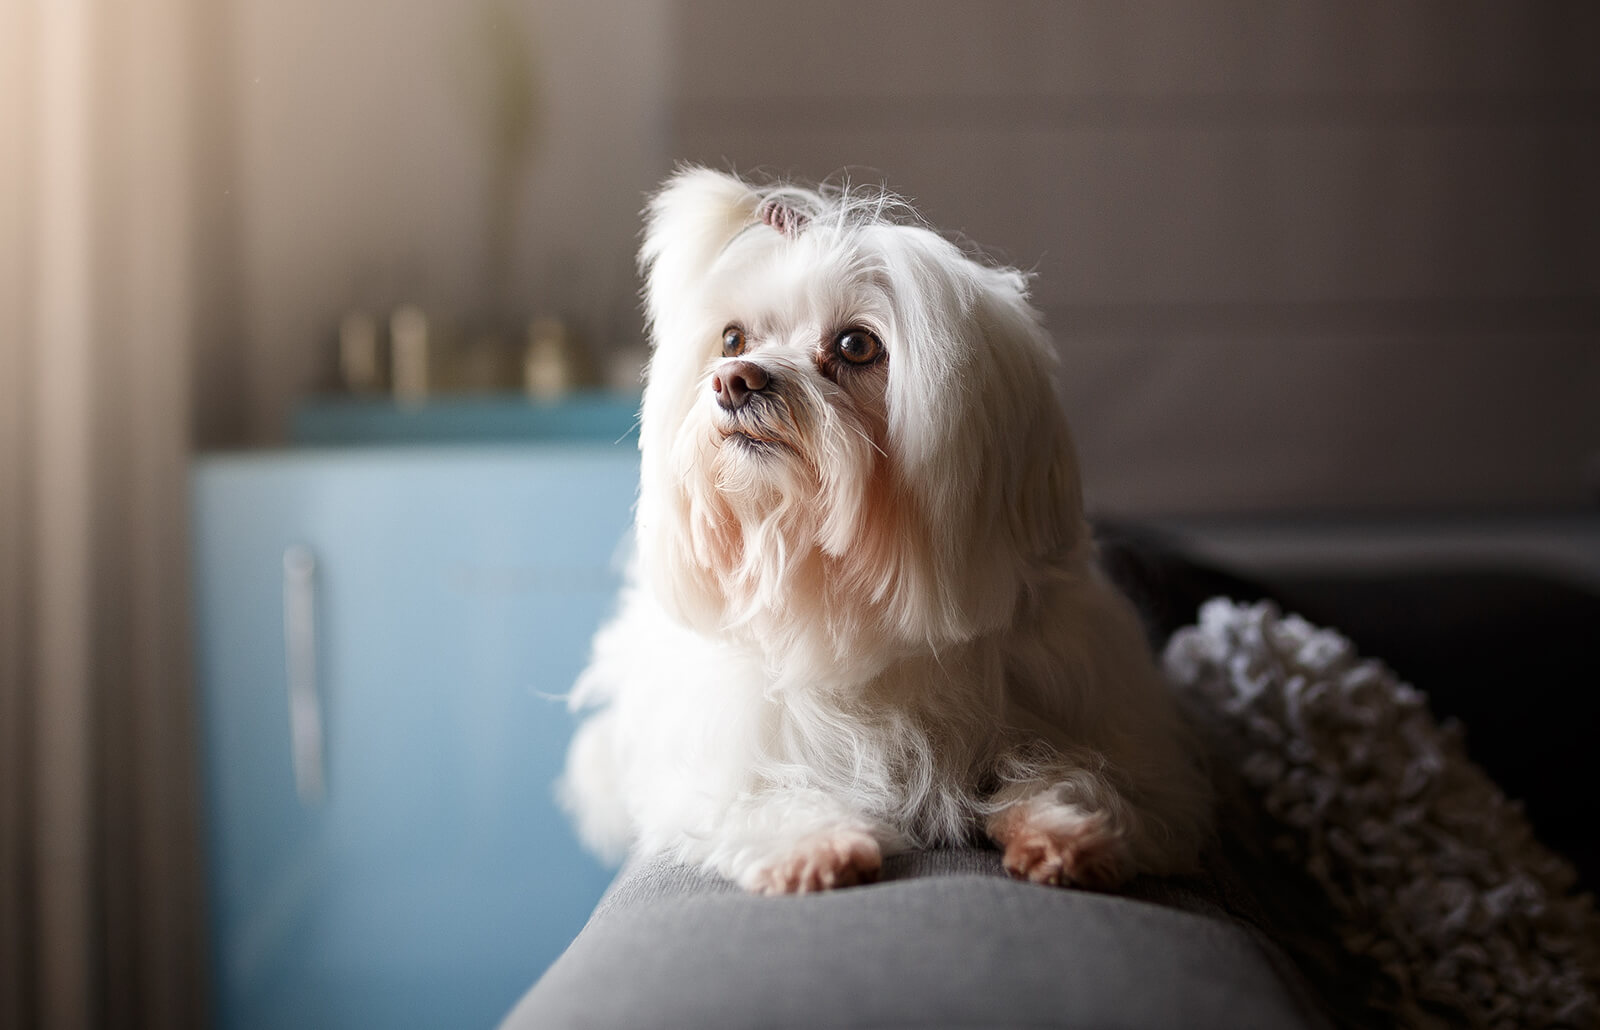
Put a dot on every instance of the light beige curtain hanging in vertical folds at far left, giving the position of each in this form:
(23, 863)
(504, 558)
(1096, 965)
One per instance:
(100, 879)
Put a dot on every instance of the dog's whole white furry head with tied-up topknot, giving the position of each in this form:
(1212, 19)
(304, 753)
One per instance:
(852, 445)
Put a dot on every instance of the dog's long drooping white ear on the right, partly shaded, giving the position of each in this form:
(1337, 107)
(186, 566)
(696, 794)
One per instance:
(978, 433)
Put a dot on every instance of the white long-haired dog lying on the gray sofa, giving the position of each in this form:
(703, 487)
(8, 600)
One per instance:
(863, 613)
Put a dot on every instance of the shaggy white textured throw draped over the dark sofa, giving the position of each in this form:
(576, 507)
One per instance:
(1433, 872)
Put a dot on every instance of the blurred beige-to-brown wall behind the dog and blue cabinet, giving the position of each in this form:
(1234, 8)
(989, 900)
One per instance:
(1297, 257)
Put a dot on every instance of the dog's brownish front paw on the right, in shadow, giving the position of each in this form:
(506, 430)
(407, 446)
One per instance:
(1062, 844)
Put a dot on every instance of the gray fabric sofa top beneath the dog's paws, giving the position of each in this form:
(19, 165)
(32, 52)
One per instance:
(945, 941)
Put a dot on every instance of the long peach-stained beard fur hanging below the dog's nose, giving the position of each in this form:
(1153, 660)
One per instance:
(786, 522)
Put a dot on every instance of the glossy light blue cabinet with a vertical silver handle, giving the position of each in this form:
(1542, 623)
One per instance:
(391, 853)
